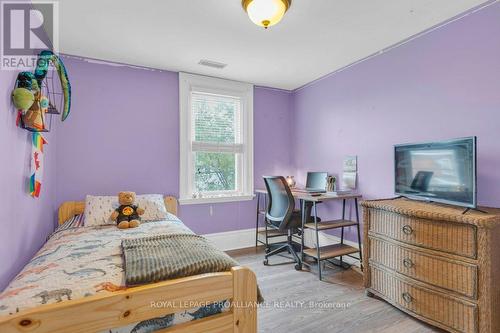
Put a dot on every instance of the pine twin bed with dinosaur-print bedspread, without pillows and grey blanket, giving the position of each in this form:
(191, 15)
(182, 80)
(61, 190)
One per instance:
(75, 283)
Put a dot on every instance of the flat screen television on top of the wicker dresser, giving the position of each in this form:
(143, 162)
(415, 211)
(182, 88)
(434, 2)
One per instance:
(443, 171)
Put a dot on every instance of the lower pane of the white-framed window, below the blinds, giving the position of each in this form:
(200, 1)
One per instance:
(215, 172)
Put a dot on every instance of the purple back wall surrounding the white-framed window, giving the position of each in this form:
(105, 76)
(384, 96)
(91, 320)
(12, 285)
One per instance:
(124, 134)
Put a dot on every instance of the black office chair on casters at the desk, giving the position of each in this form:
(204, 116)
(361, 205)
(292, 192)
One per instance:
(281, 215)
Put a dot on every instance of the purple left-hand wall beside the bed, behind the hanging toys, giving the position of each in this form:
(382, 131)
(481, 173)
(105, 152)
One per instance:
(26, 221)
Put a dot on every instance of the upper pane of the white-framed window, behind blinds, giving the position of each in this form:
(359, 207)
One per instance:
(215, 118)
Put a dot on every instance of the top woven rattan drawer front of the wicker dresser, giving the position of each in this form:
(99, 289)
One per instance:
(449, 237)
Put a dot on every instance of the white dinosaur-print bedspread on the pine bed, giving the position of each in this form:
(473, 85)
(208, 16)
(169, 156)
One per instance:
(84, 261)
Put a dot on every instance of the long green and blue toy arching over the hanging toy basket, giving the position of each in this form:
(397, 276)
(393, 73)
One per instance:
(44, 58)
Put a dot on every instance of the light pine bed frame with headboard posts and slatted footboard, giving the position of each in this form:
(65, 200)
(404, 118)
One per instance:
(101, 312)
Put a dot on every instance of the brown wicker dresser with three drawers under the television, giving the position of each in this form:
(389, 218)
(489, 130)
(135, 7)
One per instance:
(434, 262)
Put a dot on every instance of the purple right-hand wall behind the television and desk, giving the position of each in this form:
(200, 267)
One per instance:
(443, 85)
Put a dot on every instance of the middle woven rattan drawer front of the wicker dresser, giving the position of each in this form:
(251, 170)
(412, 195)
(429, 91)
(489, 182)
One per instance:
(453, 275)
